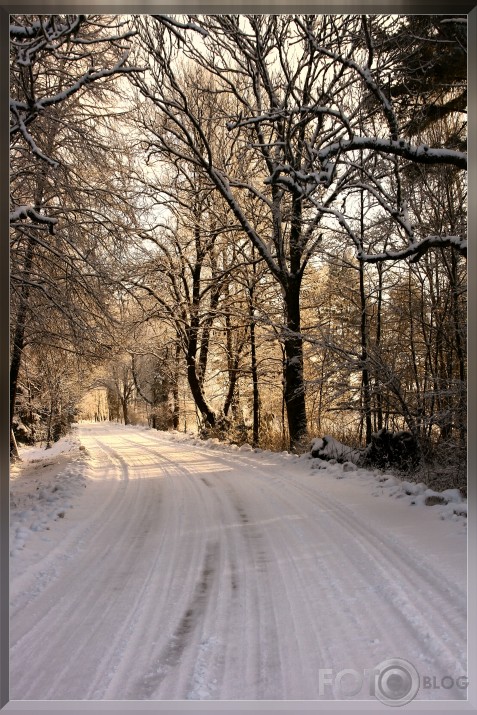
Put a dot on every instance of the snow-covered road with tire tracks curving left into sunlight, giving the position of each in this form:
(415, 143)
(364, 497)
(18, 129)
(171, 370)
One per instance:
(191, 573)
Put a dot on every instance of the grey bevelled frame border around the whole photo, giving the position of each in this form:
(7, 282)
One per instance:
(224, 7)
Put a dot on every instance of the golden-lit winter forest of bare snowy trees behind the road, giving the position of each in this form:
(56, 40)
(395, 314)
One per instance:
(252, 227)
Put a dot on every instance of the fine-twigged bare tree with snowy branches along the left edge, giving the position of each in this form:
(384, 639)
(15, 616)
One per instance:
(63, 218)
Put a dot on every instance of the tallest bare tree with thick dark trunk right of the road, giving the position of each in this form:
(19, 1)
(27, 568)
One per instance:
(248, 59)
